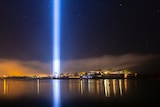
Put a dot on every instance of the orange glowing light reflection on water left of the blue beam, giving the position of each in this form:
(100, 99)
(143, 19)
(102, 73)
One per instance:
(25, 87)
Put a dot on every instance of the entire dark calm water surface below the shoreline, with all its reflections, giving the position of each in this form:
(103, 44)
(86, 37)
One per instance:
(79, 93)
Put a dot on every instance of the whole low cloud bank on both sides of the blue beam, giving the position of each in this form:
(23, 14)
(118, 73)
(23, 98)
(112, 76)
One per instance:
(133, 62)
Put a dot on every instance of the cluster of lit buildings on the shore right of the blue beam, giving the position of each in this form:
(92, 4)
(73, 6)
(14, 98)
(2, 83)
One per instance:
(99, 74)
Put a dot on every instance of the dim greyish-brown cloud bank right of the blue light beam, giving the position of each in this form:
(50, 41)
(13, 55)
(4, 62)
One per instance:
(127, 61)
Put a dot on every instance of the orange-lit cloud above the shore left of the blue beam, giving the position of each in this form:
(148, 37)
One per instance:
(21, 68)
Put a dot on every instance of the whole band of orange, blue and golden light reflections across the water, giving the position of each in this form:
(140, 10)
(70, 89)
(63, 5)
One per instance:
(106, 87)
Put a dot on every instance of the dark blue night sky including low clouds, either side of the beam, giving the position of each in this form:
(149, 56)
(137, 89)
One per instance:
(94, 34)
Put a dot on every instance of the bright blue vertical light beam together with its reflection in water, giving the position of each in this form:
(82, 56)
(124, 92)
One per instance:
(56, 51)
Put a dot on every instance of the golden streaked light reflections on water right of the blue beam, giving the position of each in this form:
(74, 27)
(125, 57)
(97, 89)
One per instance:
(100, 87)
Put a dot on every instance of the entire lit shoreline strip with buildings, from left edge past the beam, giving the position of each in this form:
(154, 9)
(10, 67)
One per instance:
(93, 74)
